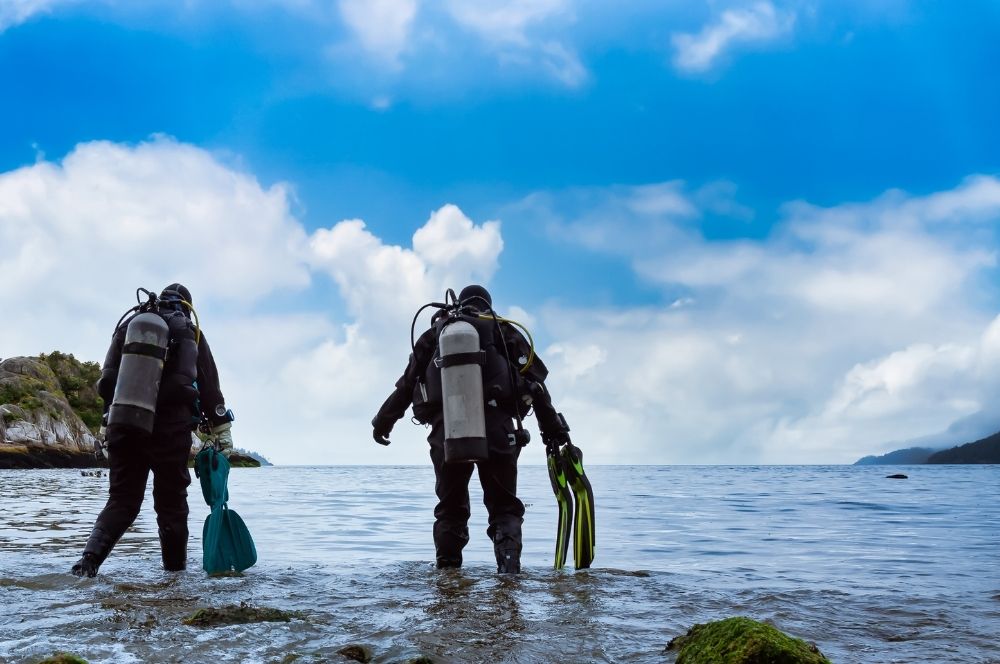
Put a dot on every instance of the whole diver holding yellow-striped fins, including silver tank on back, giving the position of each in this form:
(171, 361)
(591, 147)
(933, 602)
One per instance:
(473, 378)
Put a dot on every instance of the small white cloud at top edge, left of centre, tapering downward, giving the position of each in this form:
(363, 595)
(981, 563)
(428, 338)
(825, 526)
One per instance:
(382, 27)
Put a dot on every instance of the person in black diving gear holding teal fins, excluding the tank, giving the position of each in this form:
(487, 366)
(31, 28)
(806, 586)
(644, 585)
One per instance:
(188, 395)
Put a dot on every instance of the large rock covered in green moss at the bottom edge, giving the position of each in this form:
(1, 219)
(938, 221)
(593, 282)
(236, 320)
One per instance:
(742, 641)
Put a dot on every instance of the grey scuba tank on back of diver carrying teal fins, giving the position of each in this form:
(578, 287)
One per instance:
(139, 374)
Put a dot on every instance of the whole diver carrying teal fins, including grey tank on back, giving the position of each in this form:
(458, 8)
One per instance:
(158, 382)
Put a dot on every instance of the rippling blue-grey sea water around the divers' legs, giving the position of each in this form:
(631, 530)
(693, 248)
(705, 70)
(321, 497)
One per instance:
(872, 570)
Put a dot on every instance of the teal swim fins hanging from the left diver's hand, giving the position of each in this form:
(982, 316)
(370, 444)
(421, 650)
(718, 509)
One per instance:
(226, 542)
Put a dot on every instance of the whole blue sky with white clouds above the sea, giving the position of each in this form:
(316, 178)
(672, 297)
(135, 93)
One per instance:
(740, 232)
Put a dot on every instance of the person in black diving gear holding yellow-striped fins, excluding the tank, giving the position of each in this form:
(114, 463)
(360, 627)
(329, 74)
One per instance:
(506, 352)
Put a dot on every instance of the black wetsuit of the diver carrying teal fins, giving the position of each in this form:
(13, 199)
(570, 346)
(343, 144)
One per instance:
(132, 454)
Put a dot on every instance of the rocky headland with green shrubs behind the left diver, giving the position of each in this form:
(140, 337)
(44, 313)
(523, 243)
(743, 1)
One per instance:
(50, 414)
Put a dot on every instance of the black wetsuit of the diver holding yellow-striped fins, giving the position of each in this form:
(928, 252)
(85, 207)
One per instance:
(497, 475)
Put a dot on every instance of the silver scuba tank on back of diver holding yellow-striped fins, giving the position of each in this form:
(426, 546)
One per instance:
(462, 394)
